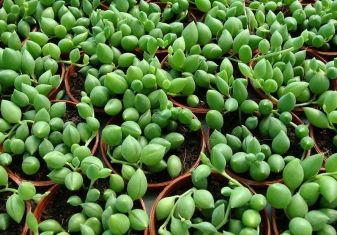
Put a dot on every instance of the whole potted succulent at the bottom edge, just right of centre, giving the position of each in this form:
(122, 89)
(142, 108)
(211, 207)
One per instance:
(209, 202)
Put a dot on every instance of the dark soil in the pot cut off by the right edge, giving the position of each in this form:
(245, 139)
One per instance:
(323, 139)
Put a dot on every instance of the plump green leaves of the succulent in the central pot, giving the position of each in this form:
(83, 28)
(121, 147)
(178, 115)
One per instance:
(149, 141)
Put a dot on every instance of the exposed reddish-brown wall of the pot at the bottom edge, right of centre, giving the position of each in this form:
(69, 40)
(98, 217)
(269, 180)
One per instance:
(185, 182)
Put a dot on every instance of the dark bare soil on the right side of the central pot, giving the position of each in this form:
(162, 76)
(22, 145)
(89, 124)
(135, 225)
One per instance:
(189, 153)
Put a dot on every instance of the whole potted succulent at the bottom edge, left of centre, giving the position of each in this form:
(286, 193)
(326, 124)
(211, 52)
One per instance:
(97, 203)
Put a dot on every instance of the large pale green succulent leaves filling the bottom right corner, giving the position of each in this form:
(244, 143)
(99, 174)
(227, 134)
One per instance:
(307, 196)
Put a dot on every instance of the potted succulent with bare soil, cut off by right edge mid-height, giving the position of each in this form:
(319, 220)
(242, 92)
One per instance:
(322, 123)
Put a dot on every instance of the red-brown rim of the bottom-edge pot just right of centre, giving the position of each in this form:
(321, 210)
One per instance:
(183, 180)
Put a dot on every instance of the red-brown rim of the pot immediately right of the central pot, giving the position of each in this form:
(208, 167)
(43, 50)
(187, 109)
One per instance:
(250, 182)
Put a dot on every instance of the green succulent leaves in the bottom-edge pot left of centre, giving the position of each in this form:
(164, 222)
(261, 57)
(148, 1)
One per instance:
(112, 211)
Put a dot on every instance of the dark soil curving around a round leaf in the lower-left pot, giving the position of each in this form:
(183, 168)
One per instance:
(41, 174)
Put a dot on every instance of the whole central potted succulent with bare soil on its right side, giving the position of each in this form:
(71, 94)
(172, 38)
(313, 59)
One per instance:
(165, 142)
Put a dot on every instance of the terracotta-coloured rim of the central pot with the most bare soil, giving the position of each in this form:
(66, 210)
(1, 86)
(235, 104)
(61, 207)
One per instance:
(159, 185)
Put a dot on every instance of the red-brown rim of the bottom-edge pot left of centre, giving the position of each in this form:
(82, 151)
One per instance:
(42, 205)
